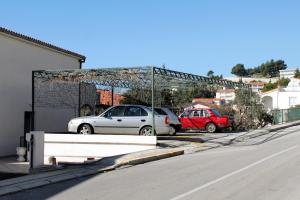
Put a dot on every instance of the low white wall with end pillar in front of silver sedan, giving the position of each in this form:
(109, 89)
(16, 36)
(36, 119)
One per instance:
(77, 148)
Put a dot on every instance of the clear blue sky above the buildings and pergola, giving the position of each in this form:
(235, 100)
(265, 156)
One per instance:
(192, 36)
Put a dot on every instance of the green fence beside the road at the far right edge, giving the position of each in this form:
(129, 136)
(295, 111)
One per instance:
(286, 115)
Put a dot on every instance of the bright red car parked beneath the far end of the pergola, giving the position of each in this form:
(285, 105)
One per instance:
(207, 119)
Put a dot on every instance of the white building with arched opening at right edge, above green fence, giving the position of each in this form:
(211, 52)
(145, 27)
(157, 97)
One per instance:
(282, 98)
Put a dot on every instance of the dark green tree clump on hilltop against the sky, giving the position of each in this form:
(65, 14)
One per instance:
(268, 69)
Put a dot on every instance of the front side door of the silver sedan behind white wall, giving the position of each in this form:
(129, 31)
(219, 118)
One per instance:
(110, 122)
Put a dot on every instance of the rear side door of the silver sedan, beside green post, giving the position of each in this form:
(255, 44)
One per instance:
(135, 117)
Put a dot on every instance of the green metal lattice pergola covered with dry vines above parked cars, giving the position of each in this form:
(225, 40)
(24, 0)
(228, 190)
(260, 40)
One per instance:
(135, 77)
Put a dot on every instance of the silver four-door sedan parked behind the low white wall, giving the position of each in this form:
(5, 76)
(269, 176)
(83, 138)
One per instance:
(123, 119)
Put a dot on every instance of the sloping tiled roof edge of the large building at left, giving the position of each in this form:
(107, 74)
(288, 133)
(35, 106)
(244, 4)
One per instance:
(41, 43)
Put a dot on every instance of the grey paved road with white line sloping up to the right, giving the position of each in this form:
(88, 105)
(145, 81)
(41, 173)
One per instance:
(269, 171)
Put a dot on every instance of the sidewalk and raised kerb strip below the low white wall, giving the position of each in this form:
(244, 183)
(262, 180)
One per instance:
(19, 184)
